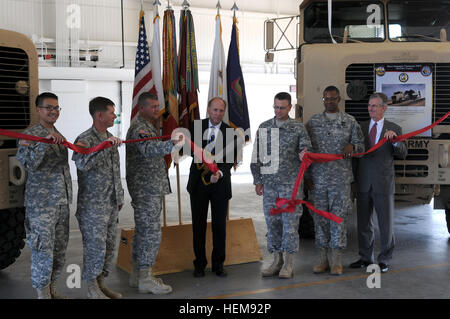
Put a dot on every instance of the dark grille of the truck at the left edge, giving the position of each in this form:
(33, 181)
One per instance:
(14, 89)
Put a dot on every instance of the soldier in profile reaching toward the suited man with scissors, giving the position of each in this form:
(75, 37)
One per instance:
(147, 183)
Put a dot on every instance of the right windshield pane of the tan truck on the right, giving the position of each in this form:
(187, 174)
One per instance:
(418, 20)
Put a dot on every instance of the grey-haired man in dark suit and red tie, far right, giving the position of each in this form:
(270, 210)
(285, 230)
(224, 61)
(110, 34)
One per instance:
(376, 186)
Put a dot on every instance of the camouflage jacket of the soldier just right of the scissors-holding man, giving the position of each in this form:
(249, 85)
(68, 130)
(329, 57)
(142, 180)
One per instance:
(292, 139)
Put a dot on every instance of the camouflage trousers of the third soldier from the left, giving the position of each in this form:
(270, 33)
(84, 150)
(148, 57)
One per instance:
(147, 232)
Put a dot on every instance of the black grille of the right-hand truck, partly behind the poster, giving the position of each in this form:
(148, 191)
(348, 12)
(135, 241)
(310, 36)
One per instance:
(366, 73)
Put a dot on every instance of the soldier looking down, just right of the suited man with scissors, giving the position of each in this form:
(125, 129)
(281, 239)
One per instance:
(274, 167)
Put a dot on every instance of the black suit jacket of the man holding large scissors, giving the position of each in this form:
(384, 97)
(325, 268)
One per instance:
(224, 183)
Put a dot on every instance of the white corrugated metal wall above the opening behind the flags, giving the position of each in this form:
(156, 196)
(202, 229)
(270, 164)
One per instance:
(95, 25)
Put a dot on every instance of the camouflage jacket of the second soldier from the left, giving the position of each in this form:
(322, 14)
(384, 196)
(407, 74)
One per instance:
(98, 172)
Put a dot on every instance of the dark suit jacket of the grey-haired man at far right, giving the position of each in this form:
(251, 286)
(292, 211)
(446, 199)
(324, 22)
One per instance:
(376, 169)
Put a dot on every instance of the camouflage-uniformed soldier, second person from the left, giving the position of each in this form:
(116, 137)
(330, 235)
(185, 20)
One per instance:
(100, 197)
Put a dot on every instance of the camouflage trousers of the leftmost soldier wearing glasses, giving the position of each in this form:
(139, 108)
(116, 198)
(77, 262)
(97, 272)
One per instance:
(47, 230)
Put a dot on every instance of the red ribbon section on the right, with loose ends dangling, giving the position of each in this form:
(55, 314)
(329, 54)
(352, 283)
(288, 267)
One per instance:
(310, 158)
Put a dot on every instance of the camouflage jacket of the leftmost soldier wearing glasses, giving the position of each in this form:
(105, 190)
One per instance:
(48, 174)
